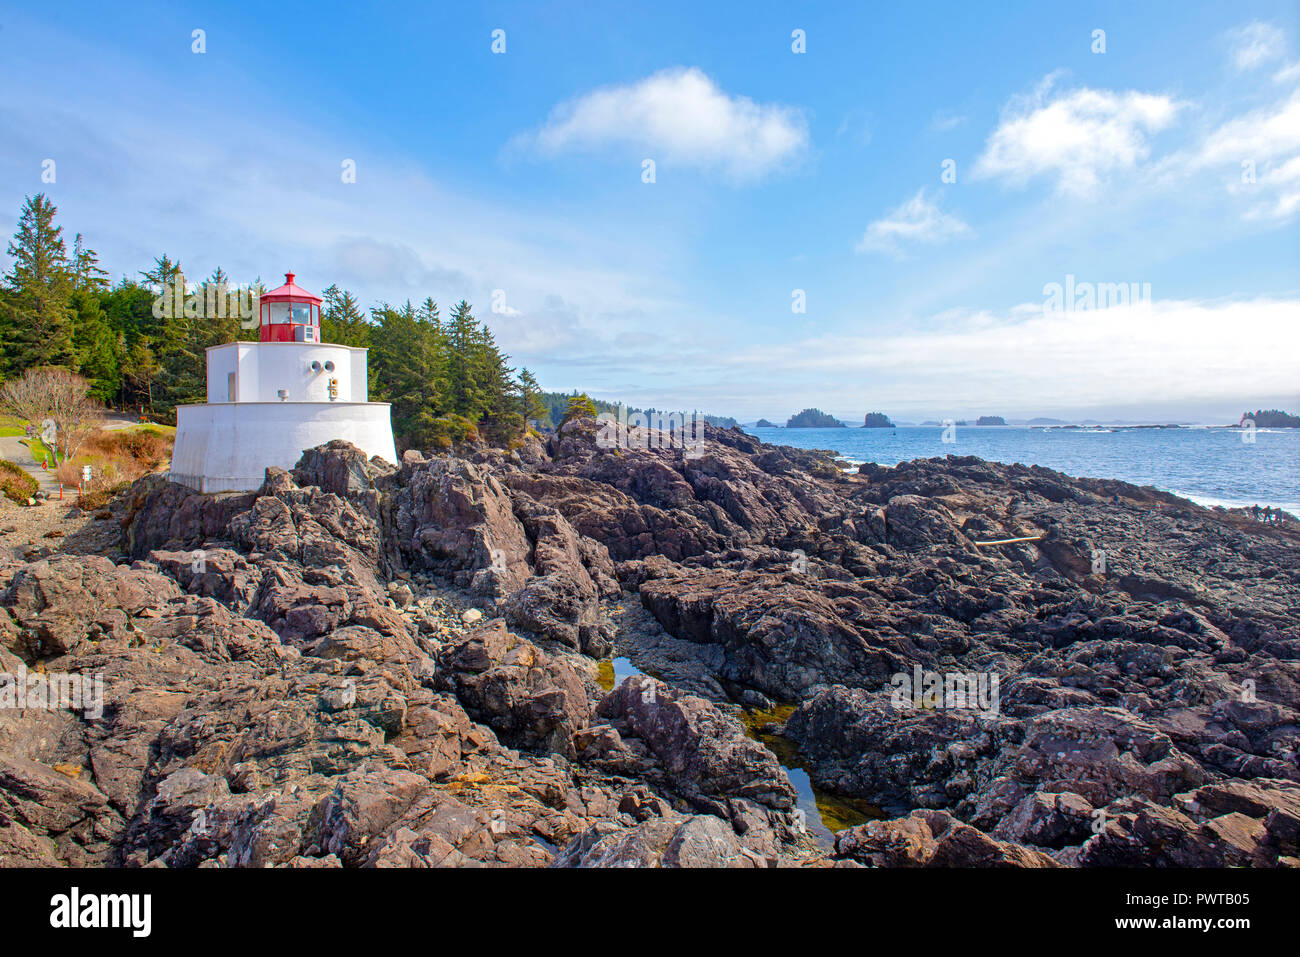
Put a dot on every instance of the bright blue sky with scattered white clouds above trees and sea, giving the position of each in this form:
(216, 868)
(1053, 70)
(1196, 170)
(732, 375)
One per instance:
(775, 172)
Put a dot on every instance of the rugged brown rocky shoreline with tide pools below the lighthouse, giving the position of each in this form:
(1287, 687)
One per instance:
(376, 665)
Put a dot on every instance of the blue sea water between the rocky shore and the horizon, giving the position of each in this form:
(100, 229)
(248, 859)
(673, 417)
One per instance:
(1210, 466)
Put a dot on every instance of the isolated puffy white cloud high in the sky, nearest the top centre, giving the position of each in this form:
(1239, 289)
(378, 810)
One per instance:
(678, 116)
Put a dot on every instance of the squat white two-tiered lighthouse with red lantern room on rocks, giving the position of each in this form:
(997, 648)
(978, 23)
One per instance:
(270, 401)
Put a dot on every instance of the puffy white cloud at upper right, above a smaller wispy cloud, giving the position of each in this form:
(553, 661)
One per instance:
(1080, 137)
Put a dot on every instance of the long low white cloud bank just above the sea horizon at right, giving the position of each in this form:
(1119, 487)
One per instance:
(1022, 360)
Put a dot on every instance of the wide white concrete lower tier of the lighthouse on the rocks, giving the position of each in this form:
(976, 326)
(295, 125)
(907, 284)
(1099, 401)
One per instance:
(228, 447)
